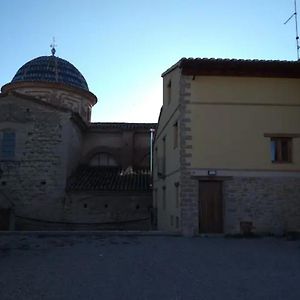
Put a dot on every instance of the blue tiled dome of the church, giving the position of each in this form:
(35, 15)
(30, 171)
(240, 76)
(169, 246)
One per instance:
(51, 69)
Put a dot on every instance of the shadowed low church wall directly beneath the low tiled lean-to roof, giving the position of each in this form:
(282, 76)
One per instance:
(114, 210)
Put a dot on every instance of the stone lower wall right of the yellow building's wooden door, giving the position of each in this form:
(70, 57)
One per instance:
(270, 204)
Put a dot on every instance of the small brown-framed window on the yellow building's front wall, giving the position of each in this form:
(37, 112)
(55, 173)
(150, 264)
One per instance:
(281, 149)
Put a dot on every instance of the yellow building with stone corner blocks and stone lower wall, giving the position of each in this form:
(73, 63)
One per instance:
(227, 148)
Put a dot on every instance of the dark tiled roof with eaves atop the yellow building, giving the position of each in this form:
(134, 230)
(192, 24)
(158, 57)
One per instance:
(237, 67)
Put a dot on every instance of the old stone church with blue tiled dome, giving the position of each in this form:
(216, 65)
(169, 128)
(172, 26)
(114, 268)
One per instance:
(57, 169)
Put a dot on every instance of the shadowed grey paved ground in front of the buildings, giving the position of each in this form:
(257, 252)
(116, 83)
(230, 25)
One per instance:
(147, 267)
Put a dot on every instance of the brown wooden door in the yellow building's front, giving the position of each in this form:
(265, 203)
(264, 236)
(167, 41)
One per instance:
(210, 207)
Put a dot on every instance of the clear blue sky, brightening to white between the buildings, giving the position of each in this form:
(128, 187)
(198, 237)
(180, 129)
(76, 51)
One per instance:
(122, 46)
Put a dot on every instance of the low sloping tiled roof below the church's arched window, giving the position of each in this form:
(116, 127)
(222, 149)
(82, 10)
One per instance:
(109, 179)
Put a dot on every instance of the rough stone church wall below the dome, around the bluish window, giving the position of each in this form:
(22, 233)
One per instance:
(35, 180)
